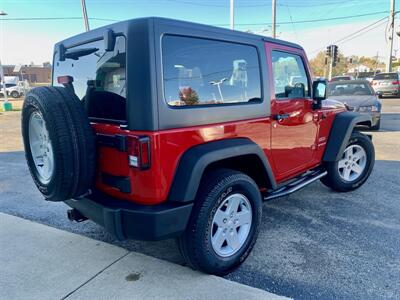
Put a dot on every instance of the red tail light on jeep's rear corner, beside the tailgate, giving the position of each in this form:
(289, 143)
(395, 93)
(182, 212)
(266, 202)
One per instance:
(139, 152)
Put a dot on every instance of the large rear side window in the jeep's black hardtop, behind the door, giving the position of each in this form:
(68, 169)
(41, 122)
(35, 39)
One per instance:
(200, 72)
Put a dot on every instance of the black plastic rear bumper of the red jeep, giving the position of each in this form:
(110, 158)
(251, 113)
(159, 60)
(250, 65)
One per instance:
(126, 220)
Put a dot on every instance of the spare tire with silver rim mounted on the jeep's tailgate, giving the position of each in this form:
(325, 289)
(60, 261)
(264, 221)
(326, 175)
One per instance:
(59, 143)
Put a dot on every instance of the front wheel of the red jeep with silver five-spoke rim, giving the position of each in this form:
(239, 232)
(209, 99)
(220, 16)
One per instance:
(354, 167)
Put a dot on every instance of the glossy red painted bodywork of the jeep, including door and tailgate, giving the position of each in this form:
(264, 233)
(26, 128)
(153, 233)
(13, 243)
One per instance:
(291, 146)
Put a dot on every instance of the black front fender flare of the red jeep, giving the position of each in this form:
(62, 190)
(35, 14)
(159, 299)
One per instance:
(342, 127)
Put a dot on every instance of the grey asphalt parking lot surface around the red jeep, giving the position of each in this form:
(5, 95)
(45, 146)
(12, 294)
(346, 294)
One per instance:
(313, 244)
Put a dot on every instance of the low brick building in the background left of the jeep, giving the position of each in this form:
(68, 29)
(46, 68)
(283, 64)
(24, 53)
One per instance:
(34, 74)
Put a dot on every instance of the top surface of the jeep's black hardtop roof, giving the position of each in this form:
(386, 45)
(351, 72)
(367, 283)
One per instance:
(124, 26)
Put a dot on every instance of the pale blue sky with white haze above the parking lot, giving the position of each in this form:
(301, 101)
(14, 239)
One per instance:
(357, 26)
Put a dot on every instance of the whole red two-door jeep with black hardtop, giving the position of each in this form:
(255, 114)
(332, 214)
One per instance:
(157, 128)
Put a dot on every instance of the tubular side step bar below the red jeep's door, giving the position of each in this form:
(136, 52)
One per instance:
(296, 185)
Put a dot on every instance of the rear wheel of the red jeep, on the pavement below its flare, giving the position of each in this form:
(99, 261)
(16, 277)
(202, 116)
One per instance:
(224, 224)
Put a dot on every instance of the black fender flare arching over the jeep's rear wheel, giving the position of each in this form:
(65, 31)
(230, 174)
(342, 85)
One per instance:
(195, 160)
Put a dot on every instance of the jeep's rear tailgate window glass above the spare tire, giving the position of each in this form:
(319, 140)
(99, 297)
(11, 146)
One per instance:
(98, 78)
